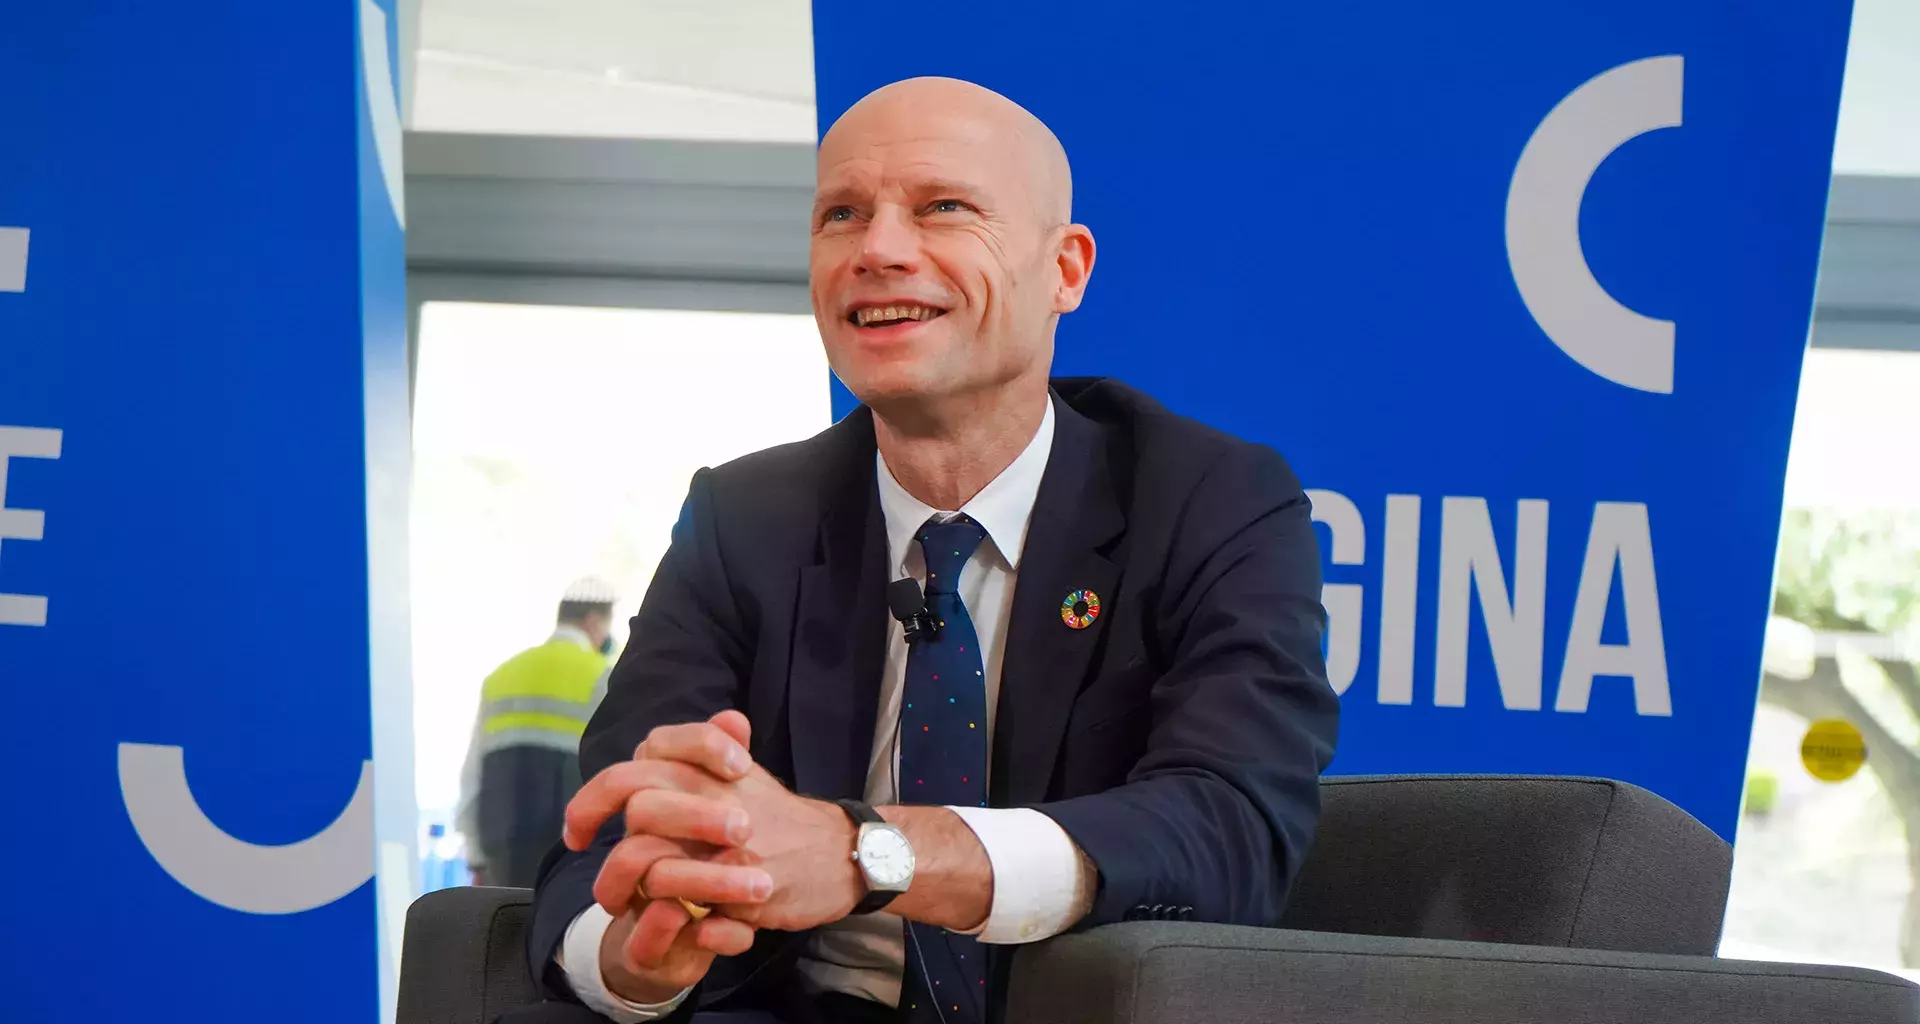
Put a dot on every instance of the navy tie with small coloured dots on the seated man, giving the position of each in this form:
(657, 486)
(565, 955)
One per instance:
(944, 762)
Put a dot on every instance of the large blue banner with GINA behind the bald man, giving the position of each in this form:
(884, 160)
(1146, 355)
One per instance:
(1520, 289)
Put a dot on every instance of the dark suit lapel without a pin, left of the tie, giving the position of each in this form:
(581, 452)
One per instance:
(840, 635)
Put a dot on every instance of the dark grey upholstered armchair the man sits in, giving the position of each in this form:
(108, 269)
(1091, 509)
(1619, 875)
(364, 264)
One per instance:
(1429, 900)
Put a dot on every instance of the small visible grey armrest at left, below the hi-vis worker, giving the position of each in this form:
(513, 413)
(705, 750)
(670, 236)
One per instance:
(464, 960)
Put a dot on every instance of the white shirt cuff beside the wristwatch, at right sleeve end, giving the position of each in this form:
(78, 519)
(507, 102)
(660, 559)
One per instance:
(1042, 883)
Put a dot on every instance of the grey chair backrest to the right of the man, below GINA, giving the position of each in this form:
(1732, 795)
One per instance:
(1577, 864)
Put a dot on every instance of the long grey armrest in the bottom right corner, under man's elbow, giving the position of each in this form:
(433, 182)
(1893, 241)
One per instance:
(1166, 971)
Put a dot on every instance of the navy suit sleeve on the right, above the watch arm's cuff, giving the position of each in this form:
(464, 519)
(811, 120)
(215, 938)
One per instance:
(1218, 814)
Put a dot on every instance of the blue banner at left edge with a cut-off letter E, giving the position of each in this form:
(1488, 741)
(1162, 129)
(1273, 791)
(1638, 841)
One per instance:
(203, 500)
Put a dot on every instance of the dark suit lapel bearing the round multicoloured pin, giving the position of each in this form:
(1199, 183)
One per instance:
(1045, 664)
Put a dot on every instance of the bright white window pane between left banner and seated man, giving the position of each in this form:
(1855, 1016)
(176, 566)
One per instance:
(556, 443)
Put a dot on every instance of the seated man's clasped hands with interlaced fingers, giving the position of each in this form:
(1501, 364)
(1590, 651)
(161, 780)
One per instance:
(709, 827)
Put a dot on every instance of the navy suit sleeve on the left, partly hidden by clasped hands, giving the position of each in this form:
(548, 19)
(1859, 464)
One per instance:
(684, 662)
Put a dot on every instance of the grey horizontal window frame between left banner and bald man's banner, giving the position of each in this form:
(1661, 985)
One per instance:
(606, 222)
